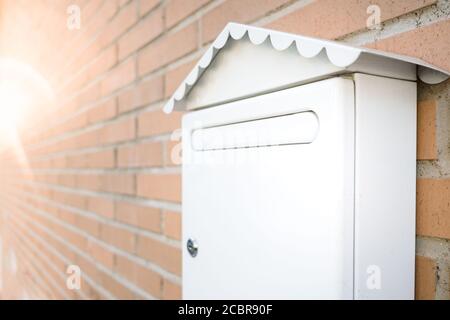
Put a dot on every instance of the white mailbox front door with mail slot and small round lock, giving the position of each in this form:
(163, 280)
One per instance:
(268, 187)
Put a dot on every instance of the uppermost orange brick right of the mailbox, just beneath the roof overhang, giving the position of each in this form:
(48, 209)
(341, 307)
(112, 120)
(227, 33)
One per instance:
(426, 130)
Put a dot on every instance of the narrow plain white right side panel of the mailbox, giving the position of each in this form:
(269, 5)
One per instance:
(385, 180)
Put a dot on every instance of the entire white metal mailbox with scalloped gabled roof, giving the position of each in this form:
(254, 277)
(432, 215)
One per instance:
(299, 169)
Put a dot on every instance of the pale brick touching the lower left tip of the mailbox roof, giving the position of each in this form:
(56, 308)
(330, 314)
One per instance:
(157, 122)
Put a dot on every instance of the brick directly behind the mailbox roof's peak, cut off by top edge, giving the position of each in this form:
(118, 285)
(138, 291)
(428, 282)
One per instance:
(237, 11)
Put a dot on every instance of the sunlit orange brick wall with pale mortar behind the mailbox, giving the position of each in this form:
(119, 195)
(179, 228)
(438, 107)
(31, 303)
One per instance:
(91, 181)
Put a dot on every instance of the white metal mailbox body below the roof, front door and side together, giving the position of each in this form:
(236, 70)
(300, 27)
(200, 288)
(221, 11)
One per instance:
(269, 195)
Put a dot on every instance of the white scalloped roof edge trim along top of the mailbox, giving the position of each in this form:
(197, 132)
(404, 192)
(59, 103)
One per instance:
(340, 55)
